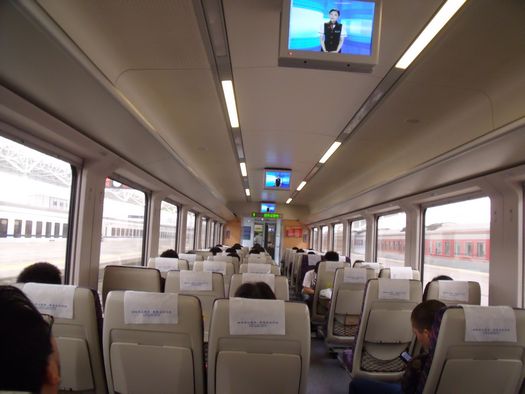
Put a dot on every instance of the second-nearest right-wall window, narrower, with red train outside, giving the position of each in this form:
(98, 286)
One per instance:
(391, 230)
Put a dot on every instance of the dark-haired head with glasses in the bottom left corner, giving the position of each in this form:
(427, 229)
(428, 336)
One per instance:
(28, 356)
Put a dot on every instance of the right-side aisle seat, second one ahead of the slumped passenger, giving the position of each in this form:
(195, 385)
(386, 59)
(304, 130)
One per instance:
(347, 303)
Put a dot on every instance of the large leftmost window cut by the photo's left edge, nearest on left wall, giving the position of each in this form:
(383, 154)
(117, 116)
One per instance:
(31, 181)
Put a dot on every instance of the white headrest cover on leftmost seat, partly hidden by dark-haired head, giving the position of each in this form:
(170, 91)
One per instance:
(55, 300)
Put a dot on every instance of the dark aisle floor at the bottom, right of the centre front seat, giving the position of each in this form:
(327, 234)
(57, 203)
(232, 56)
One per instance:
(326, 374)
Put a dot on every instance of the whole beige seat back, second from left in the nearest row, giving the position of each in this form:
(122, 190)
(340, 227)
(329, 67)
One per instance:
(148, 357)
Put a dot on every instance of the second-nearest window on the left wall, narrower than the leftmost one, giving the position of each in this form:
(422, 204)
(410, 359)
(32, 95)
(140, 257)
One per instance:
(124, 209)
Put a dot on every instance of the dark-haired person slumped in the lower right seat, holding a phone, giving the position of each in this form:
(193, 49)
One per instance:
(422, 319)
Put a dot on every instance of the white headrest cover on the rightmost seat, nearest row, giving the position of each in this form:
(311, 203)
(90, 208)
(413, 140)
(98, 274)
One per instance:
(490, 324)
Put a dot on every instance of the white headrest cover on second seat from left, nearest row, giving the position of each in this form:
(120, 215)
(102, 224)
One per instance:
(142, 307)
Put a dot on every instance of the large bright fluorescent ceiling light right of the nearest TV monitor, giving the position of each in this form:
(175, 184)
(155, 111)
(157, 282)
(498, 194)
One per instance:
(429, 32)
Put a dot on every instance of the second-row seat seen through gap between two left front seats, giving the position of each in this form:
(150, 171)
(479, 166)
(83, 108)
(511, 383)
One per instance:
(206, 297)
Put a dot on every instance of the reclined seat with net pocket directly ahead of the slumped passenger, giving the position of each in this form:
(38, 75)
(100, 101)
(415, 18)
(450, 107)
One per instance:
(385, 329)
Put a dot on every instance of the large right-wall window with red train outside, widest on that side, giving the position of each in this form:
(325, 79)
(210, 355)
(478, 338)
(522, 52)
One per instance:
(466, 225)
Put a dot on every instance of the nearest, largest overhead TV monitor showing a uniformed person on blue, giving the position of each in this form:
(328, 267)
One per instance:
(336, 35)
